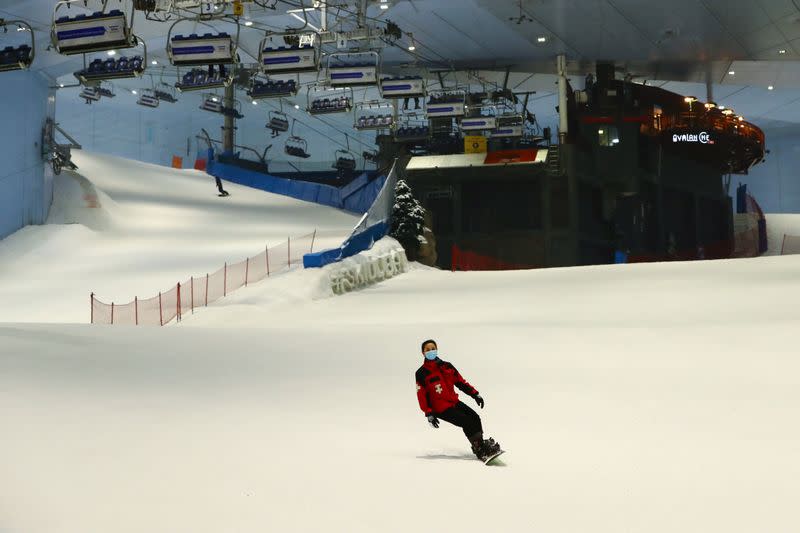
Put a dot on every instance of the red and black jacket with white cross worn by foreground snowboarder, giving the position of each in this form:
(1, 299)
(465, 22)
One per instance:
(435, 382)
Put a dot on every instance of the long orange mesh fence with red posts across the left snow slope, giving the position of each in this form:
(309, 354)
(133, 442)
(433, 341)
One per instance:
(199, 292)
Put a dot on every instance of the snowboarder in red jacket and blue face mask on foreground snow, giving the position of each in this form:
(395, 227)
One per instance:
(437, 399)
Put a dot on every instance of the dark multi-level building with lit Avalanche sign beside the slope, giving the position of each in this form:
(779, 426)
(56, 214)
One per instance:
(641, 172)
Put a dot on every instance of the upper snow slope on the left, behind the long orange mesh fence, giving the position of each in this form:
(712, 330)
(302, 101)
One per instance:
(122, 228)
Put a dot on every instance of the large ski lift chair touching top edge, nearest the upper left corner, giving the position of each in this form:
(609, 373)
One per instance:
(95, 32)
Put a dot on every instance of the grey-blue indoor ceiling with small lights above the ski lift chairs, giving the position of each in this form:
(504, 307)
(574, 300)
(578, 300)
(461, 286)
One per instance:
(748, 50)
